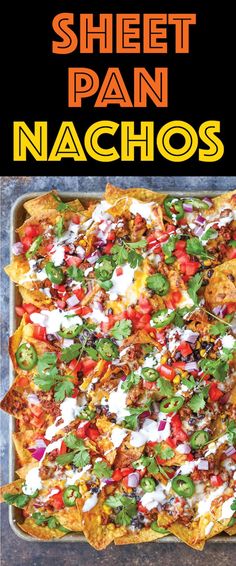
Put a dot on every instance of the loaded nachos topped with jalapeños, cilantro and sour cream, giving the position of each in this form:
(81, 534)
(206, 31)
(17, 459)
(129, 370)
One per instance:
(124, 392)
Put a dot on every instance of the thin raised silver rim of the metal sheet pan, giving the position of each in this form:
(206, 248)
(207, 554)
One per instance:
(18, 204)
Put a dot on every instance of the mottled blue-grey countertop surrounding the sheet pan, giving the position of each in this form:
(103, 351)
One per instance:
(14, 550)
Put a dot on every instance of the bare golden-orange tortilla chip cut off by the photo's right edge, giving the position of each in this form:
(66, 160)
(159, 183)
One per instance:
(221, 288)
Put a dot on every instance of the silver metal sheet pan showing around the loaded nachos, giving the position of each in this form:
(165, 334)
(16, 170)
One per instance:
(18, 215)
